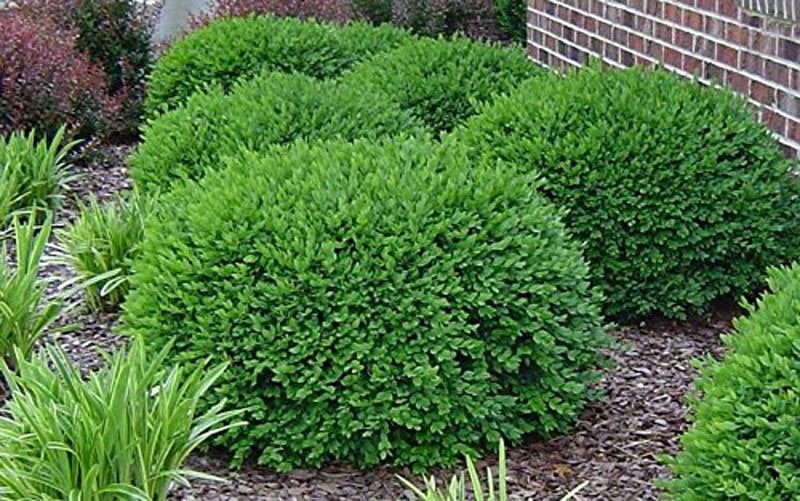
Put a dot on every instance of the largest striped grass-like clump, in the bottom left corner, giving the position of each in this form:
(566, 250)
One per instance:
(122, 434)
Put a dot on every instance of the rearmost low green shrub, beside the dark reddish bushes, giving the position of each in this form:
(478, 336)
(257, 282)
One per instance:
(234, 48)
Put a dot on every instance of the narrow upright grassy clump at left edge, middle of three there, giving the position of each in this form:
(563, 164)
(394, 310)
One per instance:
(25, 312)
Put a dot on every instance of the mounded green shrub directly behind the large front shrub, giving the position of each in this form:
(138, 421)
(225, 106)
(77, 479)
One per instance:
(272, 109)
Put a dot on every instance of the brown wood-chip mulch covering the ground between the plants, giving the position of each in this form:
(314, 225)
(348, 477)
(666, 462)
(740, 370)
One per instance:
(613, 450)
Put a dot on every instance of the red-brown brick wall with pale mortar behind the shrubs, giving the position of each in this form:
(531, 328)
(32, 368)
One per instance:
(715, 41)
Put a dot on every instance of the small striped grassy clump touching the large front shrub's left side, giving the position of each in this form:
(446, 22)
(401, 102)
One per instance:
(101, 244)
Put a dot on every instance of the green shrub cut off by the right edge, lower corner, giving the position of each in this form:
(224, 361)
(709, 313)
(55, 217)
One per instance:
(745, 440)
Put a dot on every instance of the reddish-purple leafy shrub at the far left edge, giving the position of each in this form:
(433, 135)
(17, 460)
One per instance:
(45, 82)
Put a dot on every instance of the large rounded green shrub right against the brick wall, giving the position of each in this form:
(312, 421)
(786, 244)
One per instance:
(679, 193)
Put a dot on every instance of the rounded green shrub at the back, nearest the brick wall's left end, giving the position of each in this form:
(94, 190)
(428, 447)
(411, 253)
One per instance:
(444, 81)
